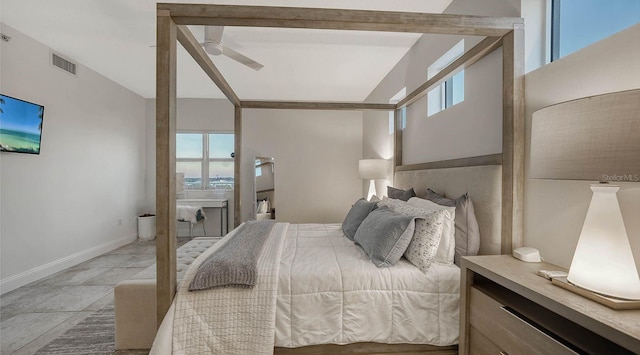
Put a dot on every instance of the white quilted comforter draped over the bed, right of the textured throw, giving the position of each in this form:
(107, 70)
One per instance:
(330, 293)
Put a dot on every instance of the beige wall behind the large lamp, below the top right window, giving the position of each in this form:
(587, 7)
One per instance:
(555, 210)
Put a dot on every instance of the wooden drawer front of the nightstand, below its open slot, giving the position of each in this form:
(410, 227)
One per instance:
(506, 329)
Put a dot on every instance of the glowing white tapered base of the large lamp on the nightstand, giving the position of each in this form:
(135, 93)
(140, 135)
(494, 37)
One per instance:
(603, 261)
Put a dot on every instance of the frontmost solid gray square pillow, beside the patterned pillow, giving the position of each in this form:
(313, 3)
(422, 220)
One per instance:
(385, 235)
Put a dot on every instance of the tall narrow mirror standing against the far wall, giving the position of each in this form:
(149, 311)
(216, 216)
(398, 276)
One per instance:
(264, 187)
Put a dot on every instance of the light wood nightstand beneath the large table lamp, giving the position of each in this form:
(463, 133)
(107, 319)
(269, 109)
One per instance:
(506, 308)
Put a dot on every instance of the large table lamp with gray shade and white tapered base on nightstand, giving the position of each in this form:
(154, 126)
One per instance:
(595, 138)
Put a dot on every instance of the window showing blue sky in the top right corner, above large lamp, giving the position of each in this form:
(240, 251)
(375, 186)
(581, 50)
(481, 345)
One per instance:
(576, 24)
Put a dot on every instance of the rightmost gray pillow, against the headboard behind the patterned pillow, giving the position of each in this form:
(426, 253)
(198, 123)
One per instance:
(467, 230)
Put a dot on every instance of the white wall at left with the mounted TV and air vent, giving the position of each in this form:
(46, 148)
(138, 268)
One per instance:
(80, 197)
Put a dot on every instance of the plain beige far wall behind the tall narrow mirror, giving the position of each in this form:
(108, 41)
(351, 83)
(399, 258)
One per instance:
(316, 157)
